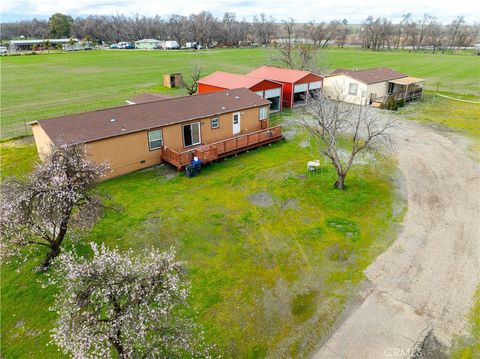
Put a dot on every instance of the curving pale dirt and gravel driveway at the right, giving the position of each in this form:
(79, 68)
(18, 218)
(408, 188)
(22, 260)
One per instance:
(426, 280)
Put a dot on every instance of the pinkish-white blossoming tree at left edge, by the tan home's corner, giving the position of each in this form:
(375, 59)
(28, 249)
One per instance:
(58, 195)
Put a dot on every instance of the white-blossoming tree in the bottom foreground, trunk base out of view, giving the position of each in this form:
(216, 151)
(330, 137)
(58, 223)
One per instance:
(123, 305)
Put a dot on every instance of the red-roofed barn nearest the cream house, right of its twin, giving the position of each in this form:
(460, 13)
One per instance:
(296, 83)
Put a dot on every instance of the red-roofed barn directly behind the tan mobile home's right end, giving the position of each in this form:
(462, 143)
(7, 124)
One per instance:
(219, 81)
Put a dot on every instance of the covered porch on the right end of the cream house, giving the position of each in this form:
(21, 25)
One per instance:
(406, 88)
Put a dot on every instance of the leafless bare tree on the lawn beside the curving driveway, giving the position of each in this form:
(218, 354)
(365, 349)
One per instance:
(328, 120)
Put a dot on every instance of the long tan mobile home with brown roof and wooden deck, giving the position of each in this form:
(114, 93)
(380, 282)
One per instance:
(132, 137)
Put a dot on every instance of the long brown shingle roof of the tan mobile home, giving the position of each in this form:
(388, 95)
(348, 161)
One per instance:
(95, 125)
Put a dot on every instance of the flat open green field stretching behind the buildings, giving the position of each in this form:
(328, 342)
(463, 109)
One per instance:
(42, 86)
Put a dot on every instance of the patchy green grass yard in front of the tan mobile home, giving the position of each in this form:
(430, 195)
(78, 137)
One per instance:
(272, 253)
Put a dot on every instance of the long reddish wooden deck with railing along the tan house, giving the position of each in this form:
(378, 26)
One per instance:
(213, 151)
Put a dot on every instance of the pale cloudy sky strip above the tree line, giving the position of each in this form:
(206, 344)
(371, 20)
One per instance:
(355, 11)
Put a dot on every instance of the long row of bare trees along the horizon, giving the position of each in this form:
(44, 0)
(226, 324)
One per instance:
(228, 31)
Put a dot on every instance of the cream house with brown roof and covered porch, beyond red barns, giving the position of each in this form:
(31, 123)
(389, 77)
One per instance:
(372, 86)
